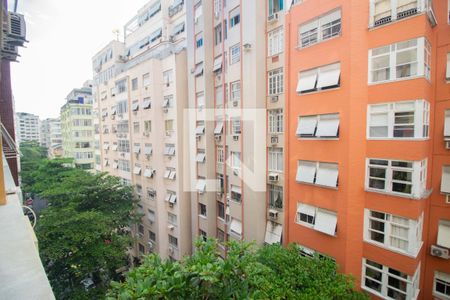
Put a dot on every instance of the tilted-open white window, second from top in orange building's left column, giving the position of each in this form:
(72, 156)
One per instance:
(321, 78)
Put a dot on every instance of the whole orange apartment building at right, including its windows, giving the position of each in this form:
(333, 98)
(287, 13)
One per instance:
(367, 115)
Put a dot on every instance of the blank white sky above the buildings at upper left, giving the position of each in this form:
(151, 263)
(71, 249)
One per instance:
(63, 36)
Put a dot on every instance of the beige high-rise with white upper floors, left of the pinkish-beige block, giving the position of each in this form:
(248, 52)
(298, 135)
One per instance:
(140, 93)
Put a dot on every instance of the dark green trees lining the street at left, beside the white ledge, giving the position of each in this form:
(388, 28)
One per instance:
(83, 235)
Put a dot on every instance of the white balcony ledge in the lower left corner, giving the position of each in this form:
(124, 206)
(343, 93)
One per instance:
(21, 272)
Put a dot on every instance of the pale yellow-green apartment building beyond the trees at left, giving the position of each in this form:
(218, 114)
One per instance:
(77, 122)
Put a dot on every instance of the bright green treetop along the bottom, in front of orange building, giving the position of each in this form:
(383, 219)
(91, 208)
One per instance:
(270, 272)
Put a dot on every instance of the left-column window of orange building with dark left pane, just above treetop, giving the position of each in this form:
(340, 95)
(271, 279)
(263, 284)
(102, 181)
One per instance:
(317, 218)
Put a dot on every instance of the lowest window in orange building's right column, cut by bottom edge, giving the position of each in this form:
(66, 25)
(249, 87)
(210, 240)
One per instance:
(389, 283)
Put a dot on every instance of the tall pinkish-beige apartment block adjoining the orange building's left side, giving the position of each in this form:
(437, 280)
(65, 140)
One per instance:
(235, 55)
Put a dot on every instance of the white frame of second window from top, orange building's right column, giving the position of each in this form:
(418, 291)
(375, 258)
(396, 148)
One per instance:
(422, 63)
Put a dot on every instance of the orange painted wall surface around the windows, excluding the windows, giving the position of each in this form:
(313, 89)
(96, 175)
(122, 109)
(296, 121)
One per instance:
(352, 148)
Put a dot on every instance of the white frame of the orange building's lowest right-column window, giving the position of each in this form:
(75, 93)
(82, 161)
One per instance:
(412, 282)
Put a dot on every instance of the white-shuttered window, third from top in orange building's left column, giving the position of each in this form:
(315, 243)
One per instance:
(318, 126)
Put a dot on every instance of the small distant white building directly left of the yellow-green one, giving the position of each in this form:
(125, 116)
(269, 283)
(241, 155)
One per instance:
(51, 137)
